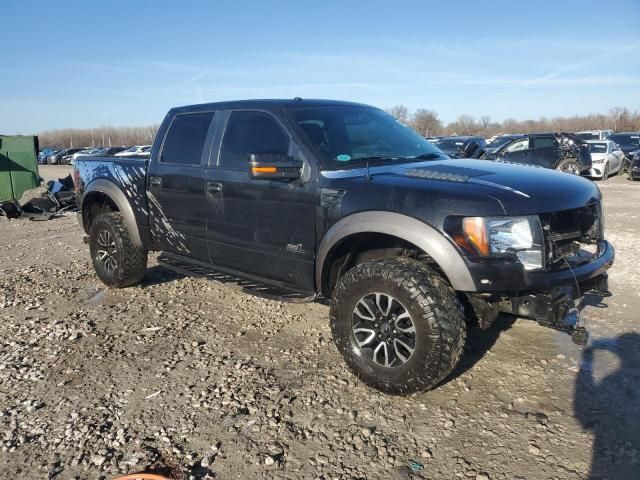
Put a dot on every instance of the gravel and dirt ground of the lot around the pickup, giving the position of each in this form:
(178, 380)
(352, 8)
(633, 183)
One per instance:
(185, 375)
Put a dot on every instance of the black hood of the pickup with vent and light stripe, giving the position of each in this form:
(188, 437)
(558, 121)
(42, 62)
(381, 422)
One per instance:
(520, 189)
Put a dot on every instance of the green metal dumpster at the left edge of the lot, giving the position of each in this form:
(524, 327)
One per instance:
(18, 165)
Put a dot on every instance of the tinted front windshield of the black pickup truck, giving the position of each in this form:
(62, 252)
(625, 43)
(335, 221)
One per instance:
(346, 136)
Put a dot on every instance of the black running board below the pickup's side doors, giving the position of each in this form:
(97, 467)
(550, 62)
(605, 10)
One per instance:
(227, 277)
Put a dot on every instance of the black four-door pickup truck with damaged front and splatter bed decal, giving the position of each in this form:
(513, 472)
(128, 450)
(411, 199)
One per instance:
(312, 199)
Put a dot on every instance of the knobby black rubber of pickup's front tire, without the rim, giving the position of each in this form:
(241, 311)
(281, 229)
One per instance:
(436, 313)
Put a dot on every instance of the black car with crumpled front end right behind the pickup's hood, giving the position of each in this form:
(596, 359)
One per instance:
(560, 151)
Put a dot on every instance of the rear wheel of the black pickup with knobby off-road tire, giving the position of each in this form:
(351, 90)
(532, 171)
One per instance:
(129, 261)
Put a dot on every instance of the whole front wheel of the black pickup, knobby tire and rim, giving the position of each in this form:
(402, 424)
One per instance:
(398, 324)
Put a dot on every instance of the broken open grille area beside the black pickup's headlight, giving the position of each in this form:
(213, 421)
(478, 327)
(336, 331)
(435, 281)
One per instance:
(572, 236)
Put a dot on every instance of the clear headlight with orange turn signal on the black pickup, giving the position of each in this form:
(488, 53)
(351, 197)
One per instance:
(505, 237)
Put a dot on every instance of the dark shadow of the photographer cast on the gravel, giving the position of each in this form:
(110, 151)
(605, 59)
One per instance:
(609, 408)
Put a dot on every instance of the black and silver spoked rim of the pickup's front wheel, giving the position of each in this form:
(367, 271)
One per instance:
(383, 330)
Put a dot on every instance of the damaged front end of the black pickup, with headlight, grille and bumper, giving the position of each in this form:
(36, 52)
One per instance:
(538, 274)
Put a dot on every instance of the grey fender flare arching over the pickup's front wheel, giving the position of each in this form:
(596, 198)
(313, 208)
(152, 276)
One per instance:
(423, 236)
